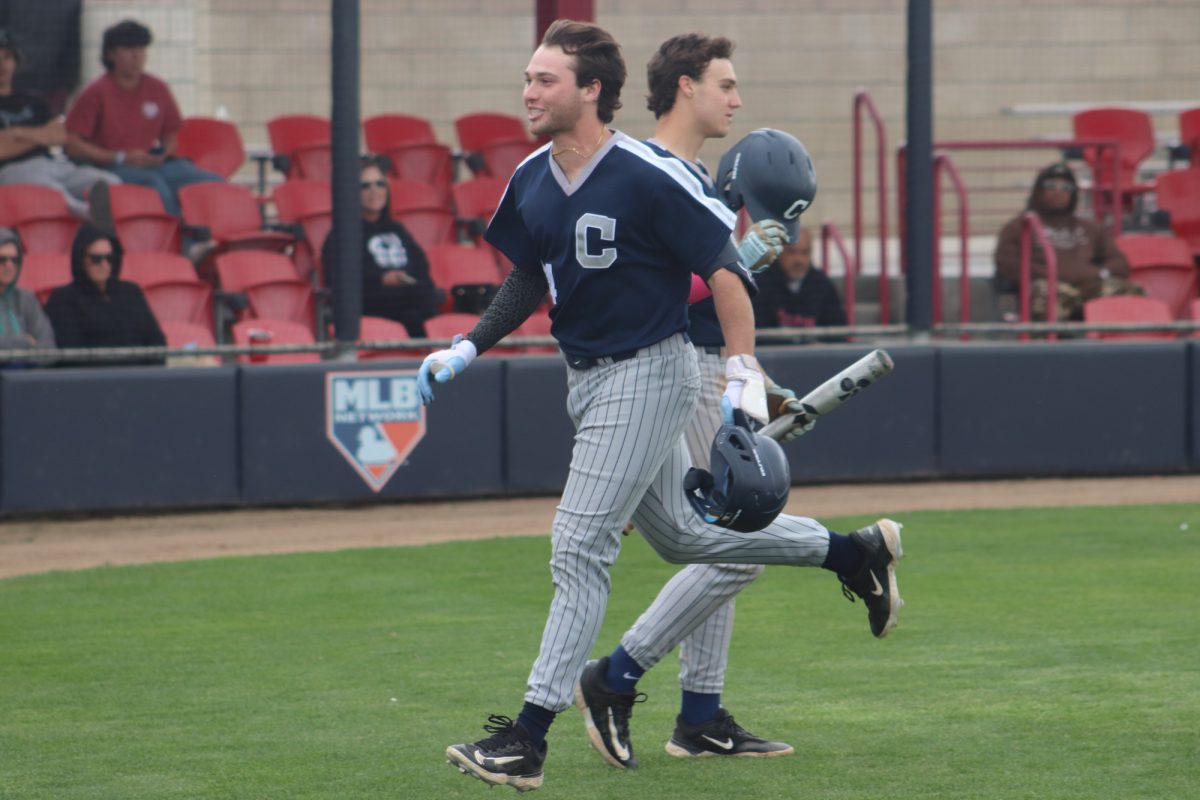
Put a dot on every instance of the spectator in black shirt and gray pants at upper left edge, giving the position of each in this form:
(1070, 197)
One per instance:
(28, 131)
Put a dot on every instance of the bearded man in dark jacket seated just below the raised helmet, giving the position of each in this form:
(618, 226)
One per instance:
(793, 293)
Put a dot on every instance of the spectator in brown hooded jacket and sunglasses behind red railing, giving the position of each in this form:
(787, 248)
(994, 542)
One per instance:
(1090, 266)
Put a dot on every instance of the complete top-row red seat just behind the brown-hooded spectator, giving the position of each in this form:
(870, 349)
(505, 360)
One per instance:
(1135, 133)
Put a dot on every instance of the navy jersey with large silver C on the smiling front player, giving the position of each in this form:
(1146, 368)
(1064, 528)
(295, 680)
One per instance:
(617, 246)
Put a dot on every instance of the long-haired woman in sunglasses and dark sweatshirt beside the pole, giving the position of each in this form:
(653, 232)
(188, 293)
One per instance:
(397, 281)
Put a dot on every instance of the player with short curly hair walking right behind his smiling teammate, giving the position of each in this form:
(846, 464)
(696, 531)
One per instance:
(694, 95)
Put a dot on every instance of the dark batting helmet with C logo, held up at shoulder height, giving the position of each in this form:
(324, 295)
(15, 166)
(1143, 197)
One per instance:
(770, 173)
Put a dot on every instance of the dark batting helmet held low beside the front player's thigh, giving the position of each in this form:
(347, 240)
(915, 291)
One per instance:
(749, 484)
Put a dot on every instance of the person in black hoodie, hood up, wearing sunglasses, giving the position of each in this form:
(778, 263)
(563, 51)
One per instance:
(98, 310)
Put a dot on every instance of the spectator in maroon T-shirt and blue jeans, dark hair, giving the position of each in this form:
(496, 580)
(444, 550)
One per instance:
(128, 122)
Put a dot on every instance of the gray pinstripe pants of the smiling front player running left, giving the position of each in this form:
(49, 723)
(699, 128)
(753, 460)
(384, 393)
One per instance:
(629, 461)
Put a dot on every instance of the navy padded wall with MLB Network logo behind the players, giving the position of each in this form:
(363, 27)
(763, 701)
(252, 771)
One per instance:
(116, 440)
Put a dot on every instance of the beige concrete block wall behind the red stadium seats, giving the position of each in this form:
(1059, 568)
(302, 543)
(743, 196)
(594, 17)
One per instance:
(799, 62)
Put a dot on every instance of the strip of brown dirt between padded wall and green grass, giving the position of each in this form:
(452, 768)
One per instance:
(39, 546)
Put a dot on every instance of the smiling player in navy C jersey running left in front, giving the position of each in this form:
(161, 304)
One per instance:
(614, 231)
